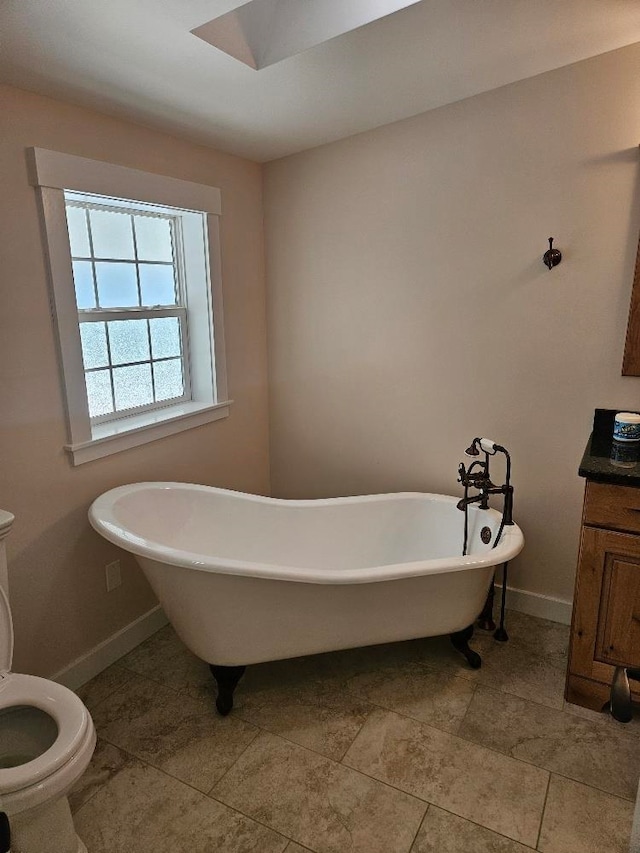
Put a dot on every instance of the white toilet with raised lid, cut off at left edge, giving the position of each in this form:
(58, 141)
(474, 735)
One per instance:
(47, 739)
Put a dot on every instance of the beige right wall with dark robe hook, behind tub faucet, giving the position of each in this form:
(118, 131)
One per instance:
(409, 310)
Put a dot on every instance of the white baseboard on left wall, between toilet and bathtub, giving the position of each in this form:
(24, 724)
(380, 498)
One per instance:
(112, 649)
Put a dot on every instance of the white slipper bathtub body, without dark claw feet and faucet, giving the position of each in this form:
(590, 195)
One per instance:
(245, 579)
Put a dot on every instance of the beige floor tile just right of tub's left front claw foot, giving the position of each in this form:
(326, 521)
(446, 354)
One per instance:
(319, 715)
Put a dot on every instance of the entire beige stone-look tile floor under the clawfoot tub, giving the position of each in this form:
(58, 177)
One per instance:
(387, 749)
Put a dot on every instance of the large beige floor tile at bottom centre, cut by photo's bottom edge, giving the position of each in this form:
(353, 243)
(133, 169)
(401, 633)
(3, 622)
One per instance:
(317, 802)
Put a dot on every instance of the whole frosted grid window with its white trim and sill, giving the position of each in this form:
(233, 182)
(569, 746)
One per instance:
(137, 301)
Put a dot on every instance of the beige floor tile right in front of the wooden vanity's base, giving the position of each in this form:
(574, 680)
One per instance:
(588, 751)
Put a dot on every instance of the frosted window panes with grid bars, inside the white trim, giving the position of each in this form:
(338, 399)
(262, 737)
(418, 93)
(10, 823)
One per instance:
(131, 305)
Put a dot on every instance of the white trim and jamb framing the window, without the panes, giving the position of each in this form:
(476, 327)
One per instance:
(52, 172)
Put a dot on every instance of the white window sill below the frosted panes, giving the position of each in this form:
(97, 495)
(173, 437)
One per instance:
(108, 438)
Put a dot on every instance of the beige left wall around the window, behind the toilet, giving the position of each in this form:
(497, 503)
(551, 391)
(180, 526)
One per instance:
(56, 562)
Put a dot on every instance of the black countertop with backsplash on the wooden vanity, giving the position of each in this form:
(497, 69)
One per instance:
(608, 463)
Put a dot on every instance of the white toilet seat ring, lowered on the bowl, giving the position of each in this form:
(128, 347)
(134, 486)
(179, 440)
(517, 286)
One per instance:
(67, 711)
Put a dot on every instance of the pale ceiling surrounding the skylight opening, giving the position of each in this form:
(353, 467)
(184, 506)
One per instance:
(138, 59)
